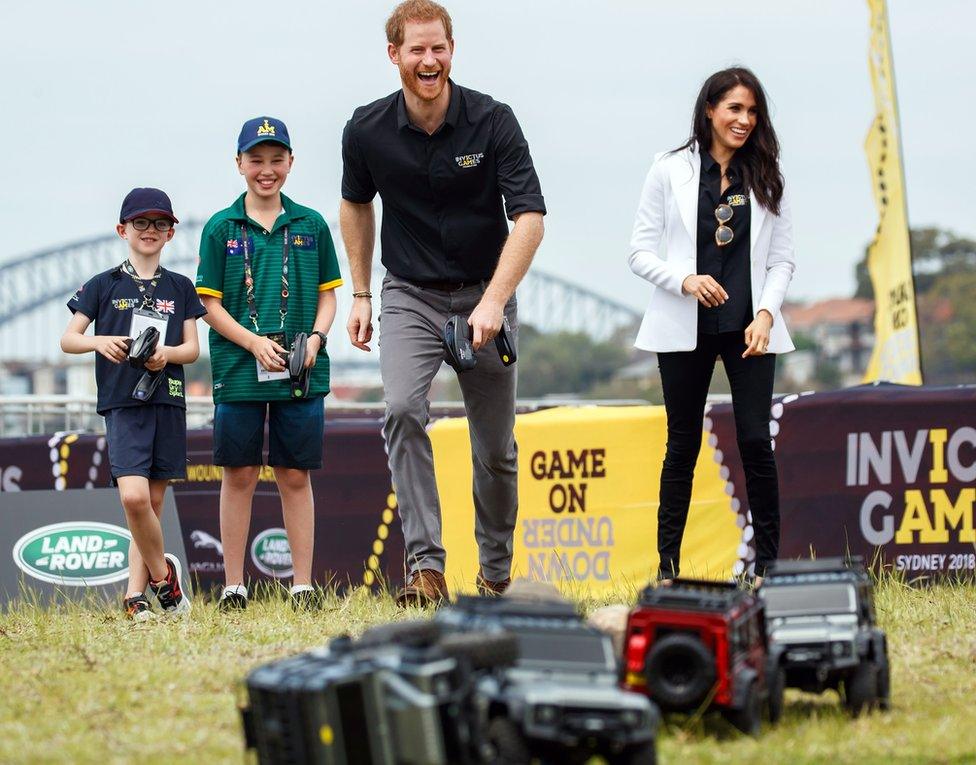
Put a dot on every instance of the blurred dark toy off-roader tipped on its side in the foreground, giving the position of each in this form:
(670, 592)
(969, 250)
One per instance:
(403, 693)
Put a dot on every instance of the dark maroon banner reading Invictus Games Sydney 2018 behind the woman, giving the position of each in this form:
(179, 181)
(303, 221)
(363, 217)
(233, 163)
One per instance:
(882, 470)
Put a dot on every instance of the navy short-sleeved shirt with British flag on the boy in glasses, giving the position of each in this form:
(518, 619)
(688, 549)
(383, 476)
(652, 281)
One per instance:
(109, 299)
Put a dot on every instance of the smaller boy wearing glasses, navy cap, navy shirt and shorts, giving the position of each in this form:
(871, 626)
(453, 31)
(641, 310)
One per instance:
(142, 398)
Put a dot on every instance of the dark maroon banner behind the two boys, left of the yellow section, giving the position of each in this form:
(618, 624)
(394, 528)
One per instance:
(357, 531)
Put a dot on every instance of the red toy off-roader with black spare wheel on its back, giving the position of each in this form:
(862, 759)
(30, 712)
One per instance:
(695, 643)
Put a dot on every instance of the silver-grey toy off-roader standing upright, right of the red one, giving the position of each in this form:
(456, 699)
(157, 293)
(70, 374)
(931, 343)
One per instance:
(821, 621)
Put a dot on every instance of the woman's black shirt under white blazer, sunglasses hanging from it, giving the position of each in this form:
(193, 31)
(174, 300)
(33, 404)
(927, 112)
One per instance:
(730, 265)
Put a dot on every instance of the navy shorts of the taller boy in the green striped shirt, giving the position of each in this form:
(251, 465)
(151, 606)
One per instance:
(295, 431)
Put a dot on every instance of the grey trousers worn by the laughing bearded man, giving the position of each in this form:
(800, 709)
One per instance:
(412, 322)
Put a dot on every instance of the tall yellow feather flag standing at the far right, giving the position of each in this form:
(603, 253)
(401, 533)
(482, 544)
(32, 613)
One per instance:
(896, 356)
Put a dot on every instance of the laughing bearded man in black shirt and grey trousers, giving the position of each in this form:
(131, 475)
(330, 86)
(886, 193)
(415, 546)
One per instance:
(449, 164)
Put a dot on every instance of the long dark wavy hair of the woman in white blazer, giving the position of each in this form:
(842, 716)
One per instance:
(759, 156)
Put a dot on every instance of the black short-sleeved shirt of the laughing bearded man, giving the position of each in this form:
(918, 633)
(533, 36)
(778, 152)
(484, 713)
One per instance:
(443, 216)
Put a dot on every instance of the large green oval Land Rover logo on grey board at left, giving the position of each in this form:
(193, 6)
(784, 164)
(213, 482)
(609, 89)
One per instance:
(76, 554)
